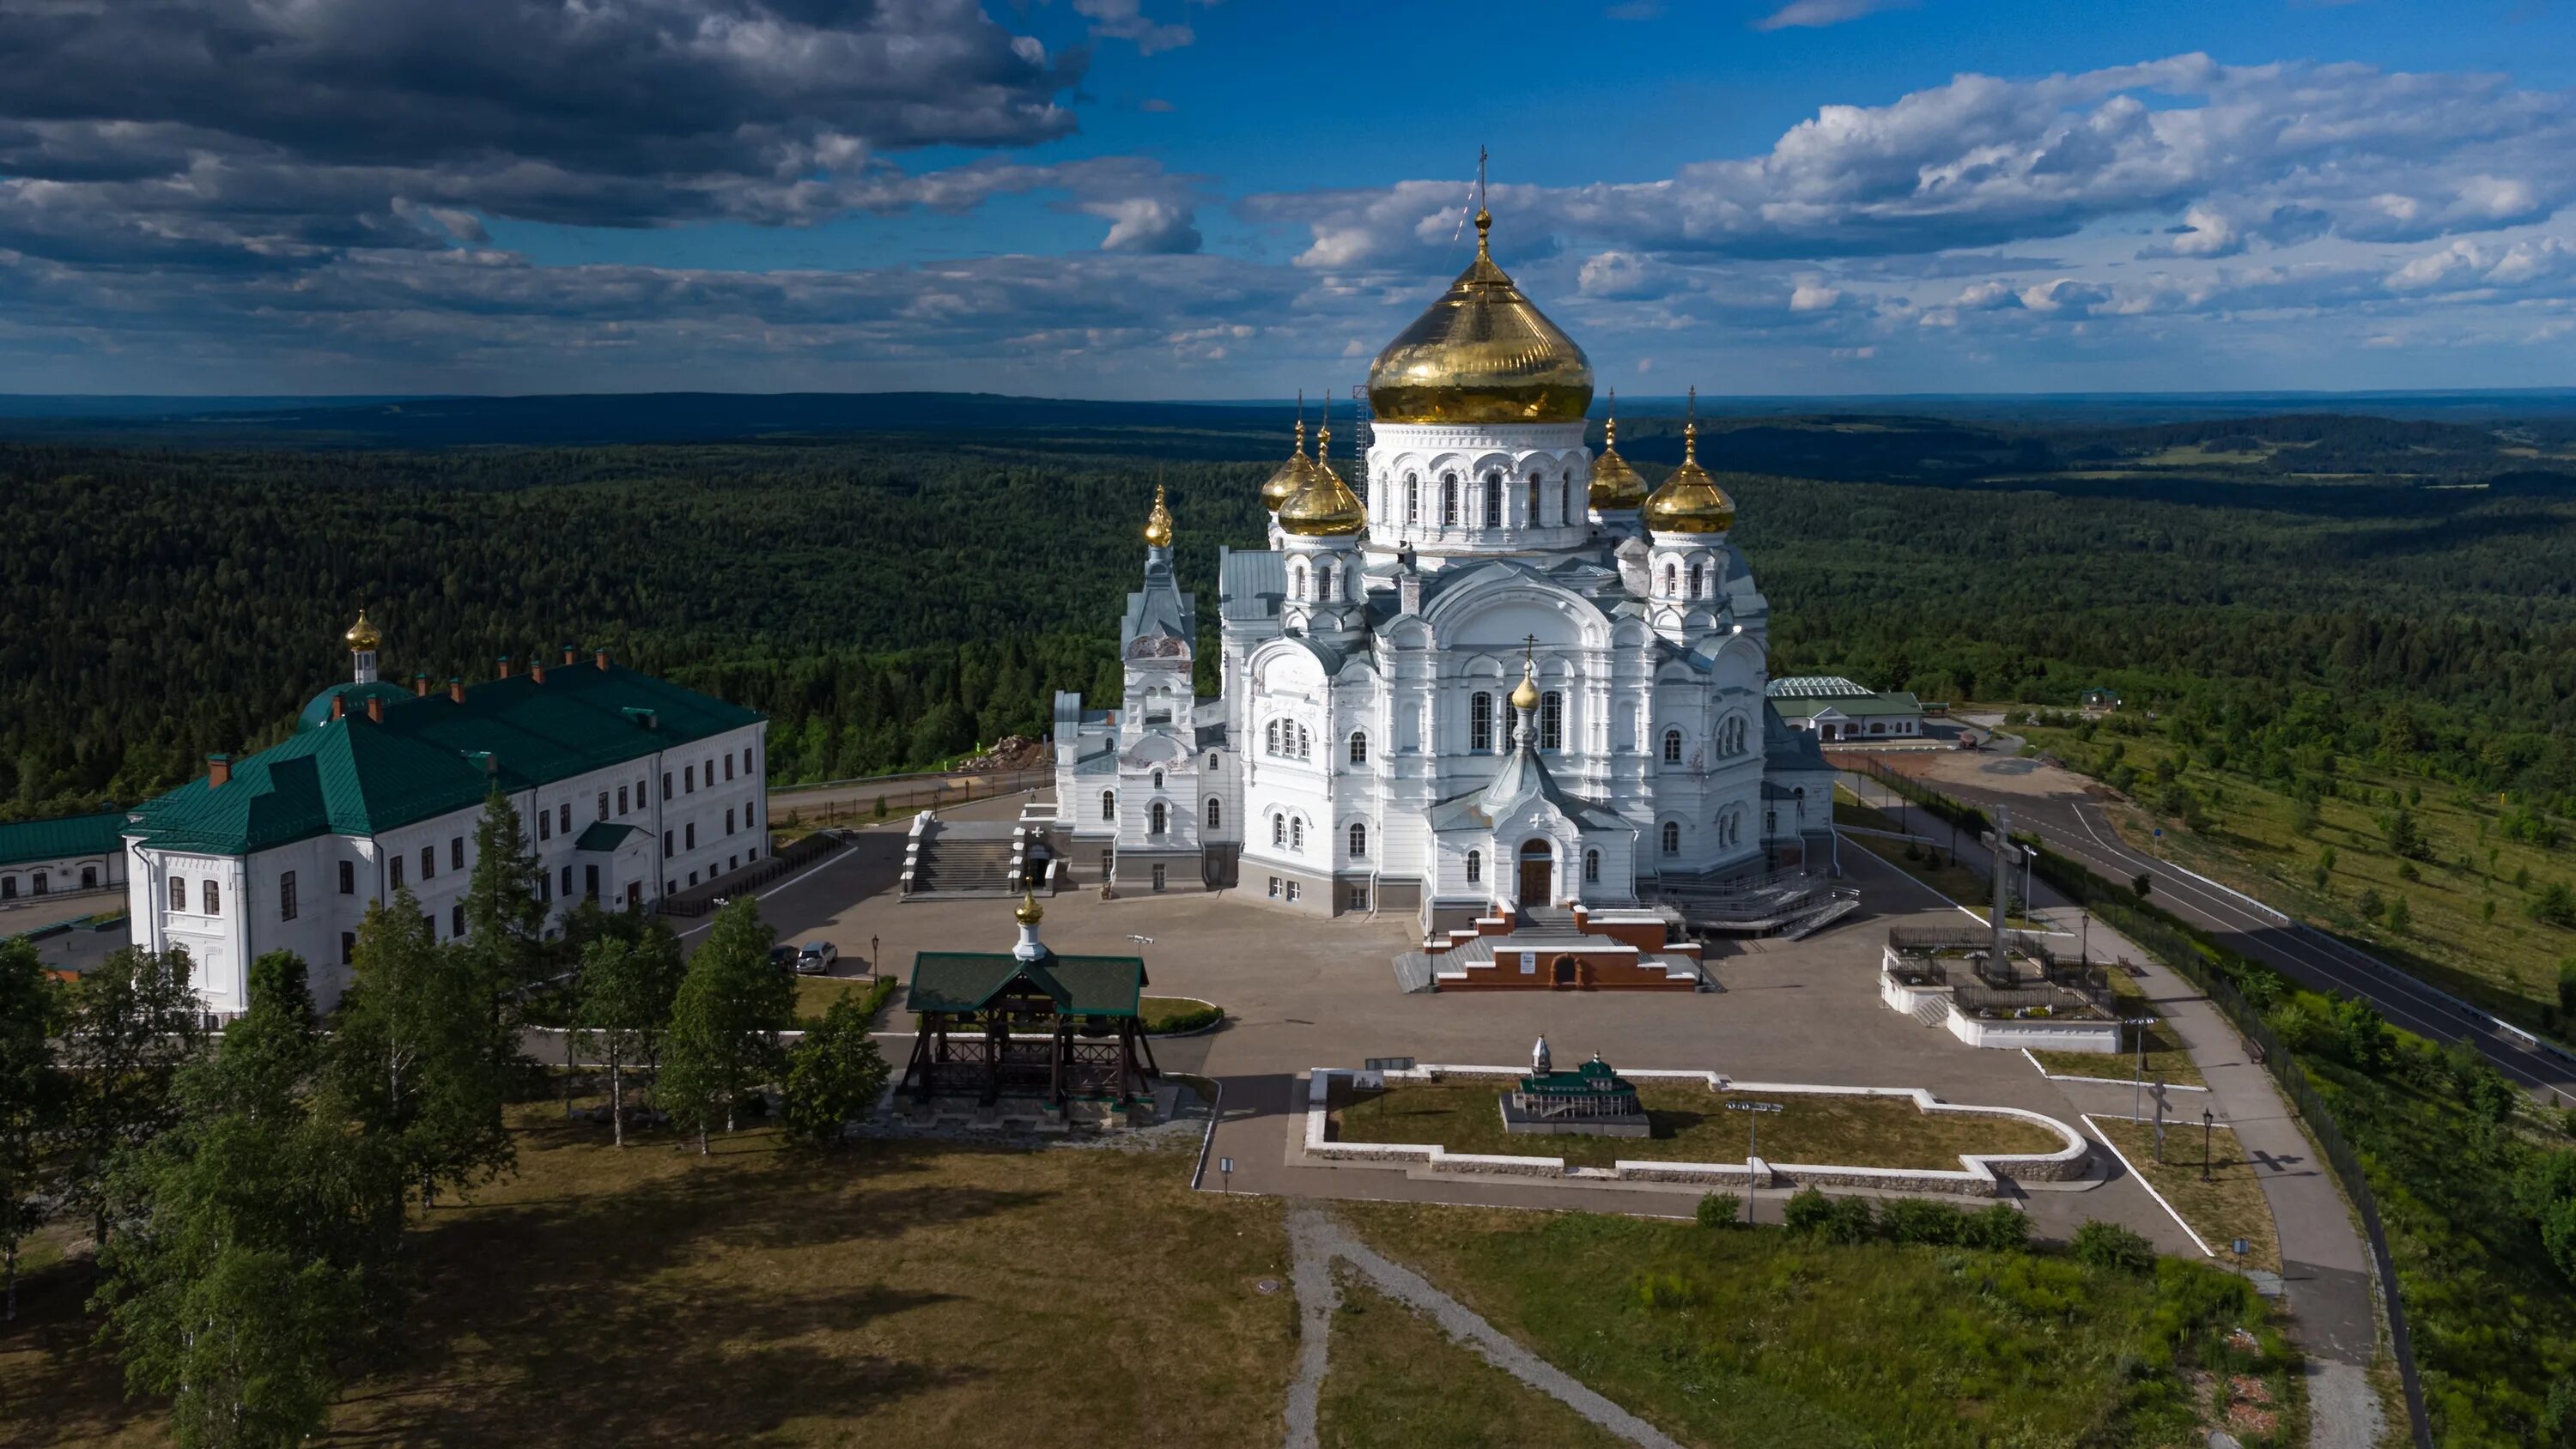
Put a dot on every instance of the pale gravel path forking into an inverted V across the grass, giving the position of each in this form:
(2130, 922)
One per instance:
(1318, 1239)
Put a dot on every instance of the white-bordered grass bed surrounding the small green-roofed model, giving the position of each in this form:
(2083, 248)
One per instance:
(1691, 1126)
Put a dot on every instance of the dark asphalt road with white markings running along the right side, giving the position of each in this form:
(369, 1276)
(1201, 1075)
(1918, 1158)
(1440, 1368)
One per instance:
(2072, 825)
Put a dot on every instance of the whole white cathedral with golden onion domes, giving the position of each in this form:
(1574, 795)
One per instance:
(1511, 678)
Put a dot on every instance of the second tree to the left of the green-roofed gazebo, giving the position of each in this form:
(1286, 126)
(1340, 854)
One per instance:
(725, 1023)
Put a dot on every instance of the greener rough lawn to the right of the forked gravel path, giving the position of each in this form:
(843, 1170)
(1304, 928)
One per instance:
(1763, 1340)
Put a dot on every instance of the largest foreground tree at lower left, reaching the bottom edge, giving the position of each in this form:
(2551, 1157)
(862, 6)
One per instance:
(256, 1234)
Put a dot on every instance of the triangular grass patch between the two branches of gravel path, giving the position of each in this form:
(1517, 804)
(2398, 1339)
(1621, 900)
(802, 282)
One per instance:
(1397, 1381)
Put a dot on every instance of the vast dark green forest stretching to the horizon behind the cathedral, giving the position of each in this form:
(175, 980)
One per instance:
(2304, 586)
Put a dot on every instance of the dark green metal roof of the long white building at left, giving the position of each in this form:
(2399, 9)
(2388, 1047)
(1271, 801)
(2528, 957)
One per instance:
(434, 755)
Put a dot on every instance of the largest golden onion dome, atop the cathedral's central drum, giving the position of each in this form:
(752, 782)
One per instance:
(1482, 354)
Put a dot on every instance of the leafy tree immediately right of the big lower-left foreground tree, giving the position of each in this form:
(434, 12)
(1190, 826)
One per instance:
(421, 1057)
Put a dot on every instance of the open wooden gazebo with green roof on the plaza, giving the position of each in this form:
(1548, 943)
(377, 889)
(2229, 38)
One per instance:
(1011, 1026)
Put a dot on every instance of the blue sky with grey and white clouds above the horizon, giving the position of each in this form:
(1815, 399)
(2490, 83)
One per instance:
(1240, 199)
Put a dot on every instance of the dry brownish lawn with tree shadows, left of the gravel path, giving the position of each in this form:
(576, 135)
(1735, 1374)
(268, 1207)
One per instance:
(900, 1293)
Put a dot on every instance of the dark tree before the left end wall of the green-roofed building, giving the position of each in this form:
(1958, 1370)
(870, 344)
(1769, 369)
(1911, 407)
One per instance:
(128, 1028)
